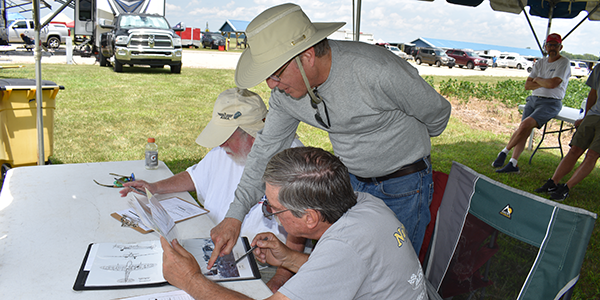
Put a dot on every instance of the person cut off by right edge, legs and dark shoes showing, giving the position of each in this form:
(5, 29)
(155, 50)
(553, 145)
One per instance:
(587, 137)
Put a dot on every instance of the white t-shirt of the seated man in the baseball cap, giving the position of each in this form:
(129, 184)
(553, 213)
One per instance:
(216, 177)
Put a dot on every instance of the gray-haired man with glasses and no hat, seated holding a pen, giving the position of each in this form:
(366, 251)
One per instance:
(362, 252)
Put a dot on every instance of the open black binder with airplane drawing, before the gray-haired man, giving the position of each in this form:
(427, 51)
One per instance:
(99, 272)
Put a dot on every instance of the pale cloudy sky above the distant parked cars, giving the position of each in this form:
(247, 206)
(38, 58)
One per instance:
(400, 21)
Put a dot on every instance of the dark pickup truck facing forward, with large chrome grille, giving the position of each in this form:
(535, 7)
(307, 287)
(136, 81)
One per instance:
(141, 39)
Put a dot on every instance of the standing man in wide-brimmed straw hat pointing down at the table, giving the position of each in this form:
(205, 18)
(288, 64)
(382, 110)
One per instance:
(379, 114)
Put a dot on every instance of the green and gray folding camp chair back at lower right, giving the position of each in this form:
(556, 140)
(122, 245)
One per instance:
(559, 234)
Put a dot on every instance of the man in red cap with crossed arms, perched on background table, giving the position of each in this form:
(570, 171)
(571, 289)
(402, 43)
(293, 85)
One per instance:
(548, 82)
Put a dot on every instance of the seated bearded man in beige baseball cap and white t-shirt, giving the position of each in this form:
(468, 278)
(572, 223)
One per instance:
(238, 114)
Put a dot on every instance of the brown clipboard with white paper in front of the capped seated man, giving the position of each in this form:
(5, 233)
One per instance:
(187, 210)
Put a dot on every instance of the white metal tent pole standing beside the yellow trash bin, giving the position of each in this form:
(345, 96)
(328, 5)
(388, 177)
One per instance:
(38, 81)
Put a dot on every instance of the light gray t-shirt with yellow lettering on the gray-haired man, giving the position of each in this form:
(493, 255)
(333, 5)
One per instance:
(364, 255)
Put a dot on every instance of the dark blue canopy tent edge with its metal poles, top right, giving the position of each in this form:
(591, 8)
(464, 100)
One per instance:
(565, 9)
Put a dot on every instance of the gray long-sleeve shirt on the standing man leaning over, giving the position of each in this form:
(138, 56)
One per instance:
(382, 115)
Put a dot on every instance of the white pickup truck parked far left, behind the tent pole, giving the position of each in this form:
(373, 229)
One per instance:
(51, 35)
